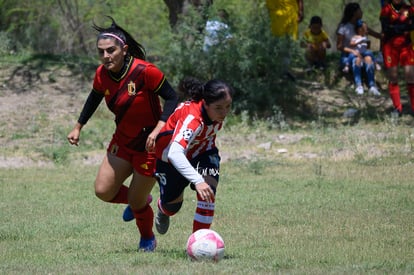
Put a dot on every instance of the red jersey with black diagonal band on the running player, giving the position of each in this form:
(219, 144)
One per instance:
(133, 96)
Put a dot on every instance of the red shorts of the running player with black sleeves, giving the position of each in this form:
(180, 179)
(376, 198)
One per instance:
(143, 162)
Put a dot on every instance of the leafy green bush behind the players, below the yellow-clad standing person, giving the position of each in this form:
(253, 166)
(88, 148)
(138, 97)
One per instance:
(253, 61)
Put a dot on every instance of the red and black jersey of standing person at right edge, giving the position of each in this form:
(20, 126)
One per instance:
(396, 23)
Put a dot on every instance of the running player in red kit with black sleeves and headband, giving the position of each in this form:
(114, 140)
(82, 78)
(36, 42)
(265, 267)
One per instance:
(131, 88)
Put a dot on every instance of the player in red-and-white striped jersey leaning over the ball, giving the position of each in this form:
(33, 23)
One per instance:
(187, 153)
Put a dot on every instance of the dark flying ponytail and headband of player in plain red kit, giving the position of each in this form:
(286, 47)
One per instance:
(135, 49)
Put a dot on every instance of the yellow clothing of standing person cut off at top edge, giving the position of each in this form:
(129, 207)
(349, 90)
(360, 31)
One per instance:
(285, 16)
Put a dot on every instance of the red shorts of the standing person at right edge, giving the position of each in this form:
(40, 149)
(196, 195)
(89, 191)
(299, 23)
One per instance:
(402, 55)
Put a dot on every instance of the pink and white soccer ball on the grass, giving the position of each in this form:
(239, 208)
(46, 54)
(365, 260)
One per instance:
(205, 245)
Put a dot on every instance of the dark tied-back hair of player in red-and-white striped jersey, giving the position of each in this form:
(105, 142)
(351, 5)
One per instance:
(211, 91)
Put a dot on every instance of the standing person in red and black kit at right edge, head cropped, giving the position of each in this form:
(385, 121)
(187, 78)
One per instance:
(397, 20)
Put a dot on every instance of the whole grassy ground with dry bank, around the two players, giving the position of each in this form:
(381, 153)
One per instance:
(329, 196)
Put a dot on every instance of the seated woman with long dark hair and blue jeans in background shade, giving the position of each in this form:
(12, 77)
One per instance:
(345, 31)
